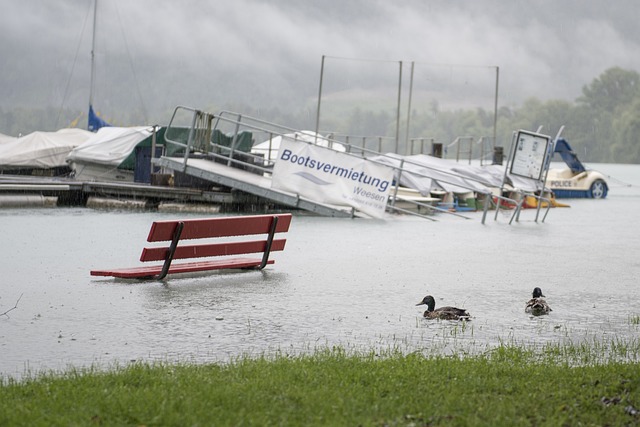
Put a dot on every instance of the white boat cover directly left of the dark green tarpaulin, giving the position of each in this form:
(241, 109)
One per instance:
(110, 145)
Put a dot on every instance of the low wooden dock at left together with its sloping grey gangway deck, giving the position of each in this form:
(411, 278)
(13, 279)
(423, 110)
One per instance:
(203, 185)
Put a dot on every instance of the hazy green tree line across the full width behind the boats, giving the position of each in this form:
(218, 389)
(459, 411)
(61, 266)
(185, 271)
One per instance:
(601, 125)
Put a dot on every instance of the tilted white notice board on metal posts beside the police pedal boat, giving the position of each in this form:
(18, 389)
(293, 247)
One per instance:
(529, 155)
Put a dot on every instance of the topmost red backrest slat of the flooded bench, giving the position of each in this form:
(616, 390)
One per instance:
(218, 227)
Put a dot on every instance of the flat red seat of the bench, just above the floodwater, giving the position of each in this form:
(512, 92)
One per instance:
(190, 267)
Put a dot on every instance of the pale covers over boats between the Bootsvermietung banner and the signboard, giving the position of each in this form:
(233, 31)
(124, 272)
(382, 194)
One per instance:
(427, 173)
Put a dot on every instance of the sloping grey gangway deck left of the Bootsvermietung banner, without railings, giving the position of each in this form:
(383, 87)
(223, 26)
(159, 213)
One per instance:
(249, 182)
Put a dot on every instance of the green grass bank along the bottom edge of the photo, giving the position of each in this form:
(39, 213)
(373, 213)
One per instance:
(509, 386)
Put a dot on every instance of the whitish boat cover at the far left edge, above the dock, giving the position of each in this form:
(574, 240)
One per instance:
(41, 150)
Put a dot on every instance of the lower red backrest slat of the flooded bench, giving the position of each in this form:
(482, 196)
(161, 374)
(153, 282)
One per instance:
(213, 249)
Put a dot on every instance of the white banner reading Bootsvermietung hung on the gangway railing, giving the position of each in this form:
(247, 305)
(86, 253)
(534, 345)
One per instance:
(331, 177)
